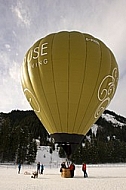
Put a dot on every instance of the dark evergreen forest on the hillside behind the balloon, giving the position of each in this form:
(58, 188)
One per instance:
(20, 129)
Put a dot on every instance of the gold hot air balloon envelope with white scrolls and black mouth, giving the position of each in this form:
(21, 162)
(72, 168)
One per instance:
(69, 78)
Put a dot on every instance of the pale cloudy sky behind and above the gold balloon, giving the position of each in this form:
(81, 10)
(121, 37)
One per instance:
(23, 22)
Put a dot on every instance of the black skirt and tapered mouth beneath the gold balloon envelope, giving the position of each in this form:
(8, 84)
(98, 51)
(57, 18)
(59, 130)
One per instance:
(69, 142)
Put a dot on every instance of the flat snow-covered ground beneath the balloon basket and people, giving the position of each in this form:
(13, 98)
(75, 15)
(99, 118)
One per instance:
(101, 177)
